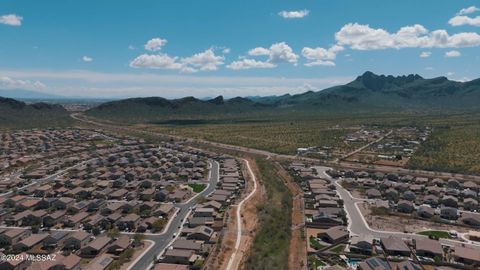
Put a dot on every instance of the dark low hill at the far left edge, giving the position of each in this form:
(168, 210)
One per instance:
(17, 114)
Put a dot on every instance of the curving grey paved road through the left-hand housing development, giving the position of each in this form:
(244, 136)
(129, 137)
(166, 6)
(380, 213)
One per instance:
(161, 241)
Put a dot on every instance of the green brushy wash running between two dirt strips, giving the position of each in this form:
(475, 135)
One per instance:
(271, 243)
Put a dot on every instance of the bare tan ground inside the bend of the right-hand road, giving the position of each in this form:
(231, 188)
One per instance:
(402, 222)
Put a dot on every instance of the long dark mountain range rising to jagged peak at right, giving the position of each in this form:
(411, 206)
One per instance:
(367, 93)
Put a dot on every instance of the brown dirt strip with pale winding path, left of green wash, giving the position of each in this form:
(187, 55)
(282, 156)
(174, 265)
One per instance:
(226, 259)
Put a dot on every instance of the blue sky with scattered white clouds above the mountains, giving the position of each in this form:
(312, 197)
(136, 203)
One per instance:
(206, 48)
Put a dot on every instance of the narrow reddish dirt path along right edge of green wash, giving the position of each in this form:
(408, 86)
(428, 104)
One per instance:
(297, 258)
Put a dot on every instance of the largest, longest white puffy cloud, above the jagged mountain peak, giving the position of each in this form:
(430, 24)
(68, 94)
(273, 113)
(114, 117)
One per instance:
(363, 37)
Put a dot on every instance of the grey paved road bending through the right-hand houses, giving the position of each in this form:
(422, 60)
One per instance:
(357, 225)
